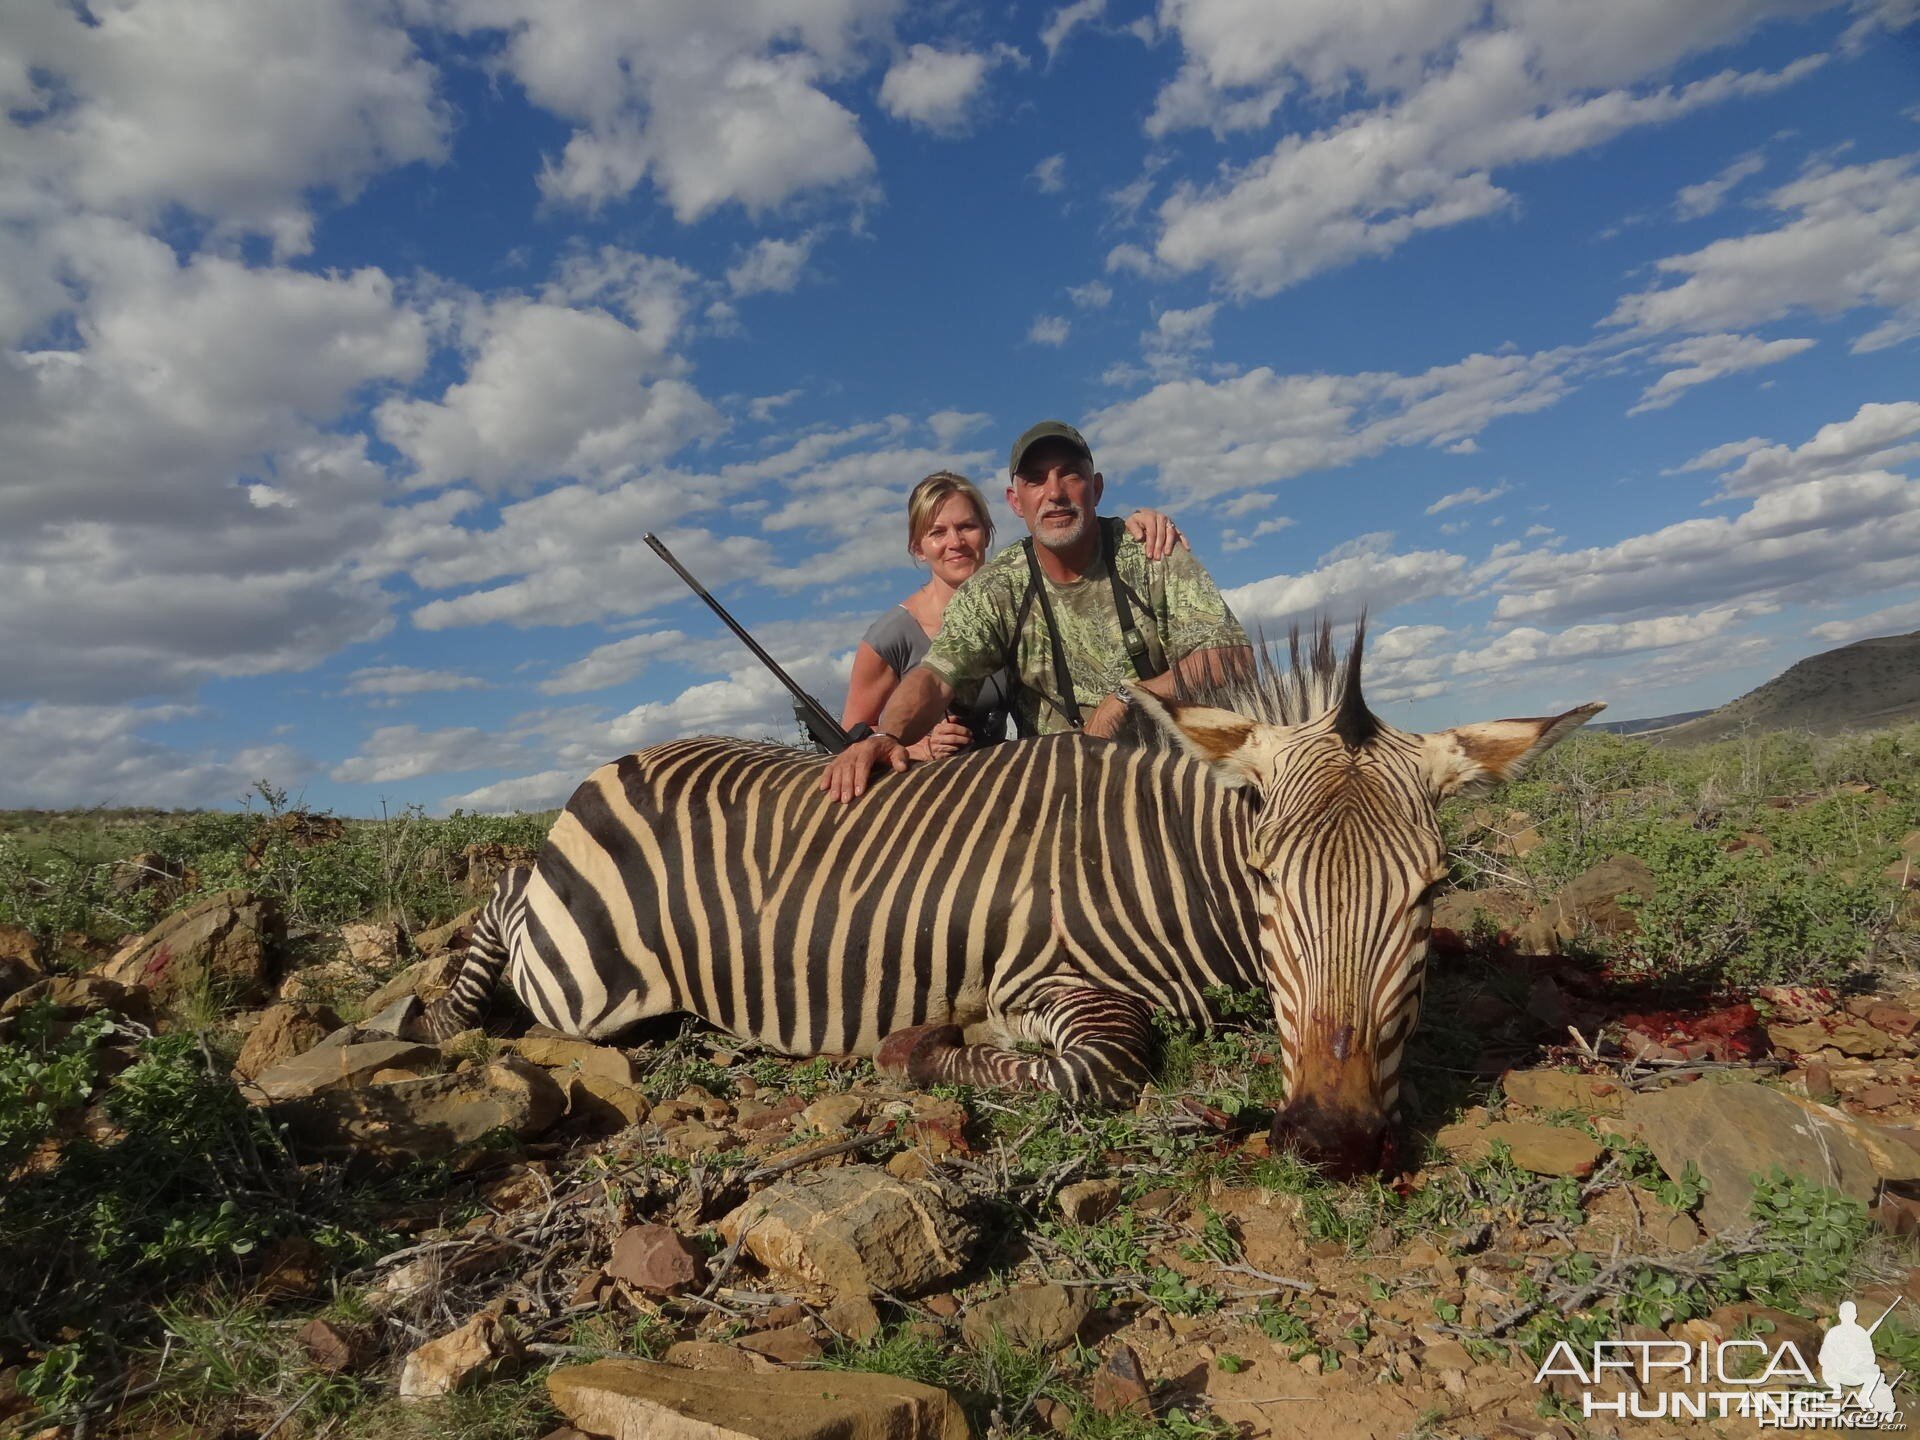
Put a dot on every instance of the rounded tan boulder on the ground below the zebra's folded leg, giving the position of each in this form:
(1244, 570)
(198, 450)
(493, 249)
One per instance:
(855, 1232)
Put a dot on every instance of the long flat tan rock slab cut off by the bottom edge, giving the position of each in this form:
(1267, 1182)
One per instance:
(646, 1401)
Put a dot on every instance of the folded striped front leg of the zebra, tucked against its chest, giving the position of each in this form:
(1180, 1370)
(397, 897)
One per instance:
(1099, 1045)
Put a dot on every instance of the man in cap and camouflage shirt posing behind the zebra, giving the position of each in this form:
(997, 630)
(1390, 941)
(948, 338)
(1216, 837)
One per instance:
(1053, 613)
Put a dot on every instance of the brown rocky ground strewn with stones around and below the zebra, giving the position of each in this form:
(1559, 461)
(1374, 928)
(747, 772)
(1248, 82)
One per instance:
(610, 1241)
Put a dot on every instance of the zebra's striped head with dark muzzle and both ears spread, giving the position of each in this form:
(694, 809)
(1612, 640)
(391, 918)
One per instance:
(1345, 842)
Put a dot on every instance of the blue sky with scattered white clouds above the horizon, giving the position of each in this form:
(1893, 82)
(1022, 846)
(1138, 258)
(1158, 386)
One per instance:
(348, 350)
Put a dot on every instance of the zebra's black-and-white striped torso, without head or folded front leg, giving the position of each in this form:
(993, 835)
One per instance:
(713, 876)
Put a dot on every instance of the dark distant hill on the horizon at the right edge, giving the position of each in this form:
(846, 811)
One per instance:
(1861, 686)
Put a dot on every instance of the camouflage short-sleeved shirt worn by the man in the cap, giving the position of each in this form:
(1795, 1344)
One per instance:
(1176, 604)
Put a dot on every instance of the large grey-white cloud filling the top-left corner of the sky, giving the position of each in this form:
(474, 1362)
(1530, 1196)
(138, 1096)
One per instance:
(231, 110)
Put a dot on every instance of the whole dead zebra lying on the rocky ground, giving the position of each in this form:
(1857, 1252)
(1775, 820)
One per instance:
(1059, 892)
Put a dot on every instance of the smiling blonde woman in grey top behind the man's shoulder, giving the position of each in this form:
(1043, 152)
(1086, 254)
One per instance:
(949, 531)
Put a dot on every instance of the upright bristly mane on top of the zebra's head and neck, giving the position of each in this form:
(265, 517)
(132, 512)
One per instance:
(1284, 688)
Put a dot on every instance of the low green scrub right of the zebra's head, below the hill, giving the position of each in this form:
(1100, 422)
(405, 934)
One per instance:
(1764, 871)
